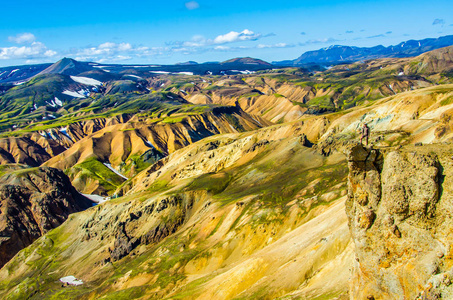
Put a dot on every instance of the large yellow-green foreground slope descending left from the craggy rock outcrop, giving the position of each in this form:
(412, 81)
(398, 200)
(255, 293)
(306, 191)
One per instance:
(206, 233)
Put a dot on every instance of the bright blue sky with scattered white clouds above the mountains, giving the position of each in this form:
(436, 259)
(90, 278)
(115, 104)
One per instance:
(167, 32)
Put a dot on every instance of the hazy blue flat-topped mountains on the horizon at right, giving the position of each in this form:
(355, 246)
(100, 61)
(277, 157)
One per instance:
(338, 54)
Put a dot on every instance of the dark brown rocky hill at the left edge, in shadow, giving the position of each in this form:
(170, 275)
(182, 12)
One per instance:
(34, 201)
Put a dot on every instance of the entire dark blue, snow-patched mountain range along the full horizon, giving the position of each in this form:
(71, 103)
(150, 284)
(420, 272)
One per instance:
(326, 56)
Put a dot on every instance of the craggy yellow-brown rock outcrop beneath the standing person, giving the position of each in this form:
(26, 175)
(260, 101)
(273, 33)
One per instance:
(399, 209)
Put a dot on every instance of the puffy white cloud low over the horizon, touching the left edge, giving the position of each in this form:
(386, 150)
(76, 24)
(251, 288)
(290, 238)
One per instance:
(34, 51)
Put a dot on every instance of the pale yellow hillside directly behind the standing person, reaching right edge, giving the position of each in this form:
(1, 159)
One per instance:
(416, 116)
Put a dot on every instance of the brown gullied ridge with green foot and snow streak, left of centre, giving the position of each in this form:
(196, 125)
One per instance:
(131, 147)
